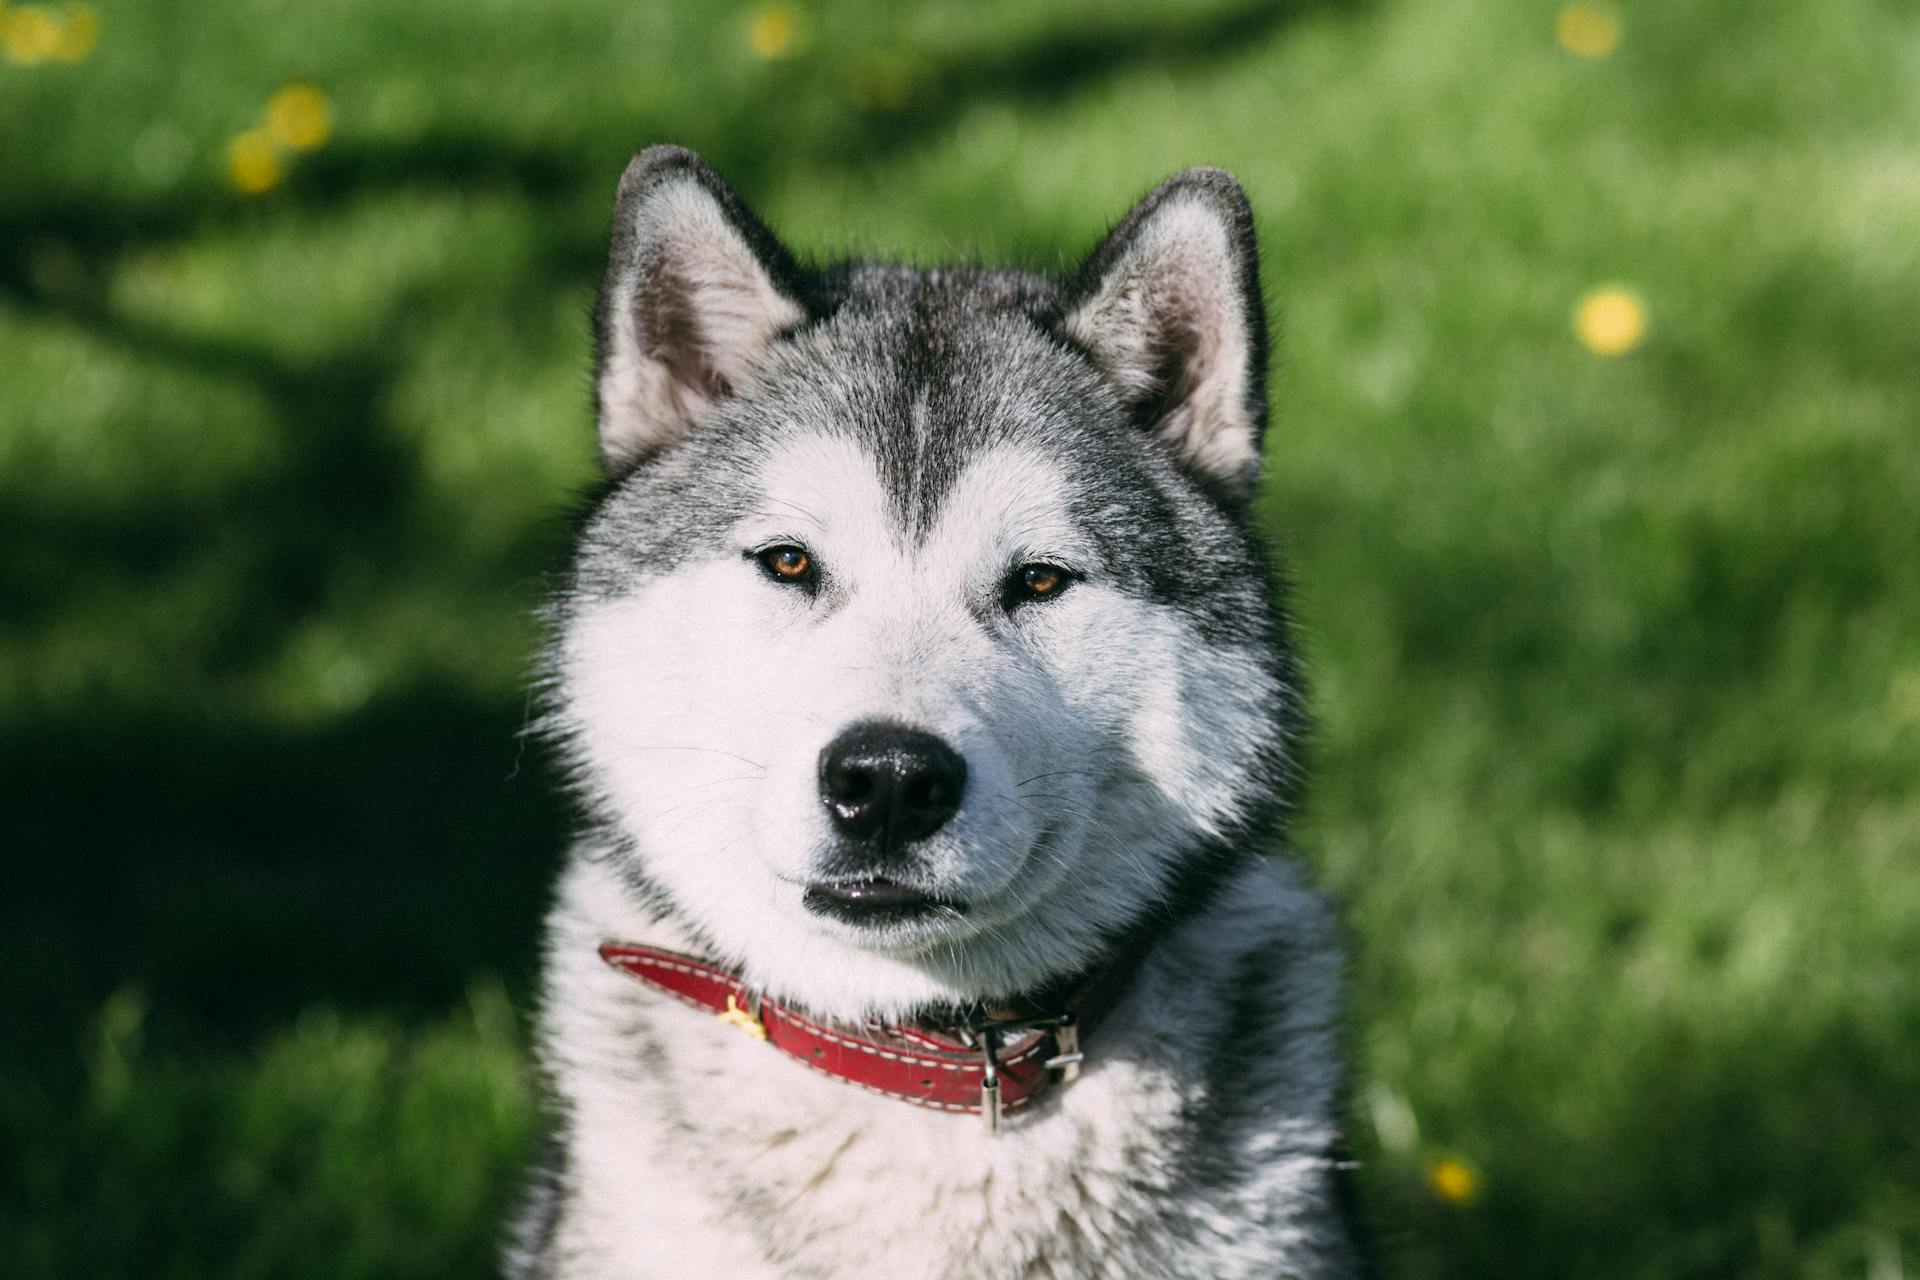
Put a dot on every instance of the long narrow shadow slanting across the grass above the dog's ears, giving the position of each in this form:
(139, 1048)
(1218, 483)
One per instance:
(60, 247)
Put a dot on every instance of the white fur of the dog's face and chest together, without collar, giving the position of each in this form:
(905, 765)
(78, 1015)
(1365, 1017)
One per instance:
(704, 703)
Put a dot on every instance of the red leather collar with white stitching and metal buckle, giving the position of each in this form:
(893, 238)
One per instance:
(986, 1068)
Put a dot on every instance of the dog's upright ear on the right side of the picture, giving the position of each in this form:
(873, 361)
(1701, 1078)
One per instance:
(1170, 310)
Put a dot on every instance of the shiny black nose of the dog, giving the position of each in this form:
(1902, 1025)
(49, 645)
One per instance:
(888, 786)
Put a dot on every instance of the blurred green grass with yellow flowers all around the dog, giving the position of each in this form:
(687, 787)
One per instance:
(1616, 625)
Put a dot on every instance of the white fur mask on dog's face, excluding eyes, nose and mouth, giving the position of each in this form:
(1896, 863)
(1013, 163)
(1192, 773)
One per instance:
(706, 701)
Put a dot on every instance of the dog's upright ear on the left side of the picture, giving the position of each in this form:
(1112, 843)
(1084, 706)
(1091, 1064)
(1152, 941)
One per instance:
(696, 293)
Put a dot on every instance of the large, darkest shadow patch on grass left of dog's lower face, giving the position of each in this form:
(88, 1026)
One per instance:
(235, 876)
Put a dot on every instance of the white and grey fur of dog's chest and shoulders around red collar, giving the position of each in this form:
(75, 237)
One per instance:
(1195, 1143)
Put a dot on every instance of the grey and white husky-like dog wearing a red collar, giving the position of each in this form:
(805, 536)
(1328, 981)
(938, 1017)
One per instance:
(926, 696)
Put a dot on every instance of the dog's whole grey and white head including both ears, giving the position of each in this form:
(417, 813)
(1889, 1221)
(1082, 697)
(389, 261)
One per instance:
(919, 648)
